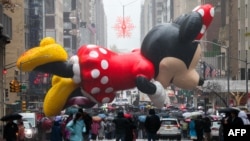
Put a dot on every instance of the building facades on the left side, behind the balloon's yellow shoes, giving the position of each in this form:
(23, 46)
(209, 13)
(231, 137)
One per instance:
(25, 23)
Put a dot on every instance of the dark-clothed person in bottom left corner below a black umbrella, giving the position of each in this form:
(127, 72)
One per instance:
(10, 131)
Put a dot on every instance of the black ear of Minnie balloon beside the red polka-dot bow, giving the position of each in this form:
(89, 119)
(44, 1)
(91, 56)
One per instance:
(190, 26)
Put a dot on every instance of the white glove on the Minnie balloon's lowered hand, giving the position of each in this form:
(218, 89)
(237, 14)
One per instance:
(159, 97)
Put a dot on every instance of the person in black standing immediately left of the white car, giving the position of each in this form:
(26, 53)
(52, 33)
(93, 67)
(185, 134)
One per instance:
(152, 125)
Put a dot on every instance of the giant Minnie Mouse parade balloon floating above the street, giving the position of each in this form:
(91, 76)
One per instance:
(168, 55)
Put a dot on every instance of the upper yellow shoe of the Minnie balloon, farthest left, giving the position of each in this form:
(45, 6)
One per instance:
(48, 51)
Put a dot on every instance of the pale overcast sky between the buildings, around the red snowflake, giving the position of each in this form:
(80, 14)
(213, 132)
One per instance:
(113, 10)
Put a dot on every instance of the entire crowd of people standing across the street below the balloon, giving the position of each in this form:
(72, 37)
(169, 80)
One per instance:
(124, 126)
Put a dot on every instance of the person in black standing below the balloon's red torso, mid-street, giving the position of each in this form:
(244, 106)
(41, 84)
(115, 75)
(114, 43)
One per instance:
(121, 125)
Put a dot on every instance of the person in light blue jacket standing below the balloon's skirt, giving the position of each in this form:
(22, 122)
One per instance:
(75, 127)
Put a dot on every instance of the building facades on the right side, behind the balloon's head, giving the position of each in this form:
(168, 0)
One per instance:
(225, 44)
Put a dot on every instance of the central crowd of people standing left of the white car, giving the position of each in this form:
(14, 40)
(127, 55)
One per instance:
(81, 126)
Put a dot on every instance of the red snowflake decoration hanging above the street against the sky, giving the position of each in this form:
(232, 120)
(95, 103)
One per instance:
(123, 27)
